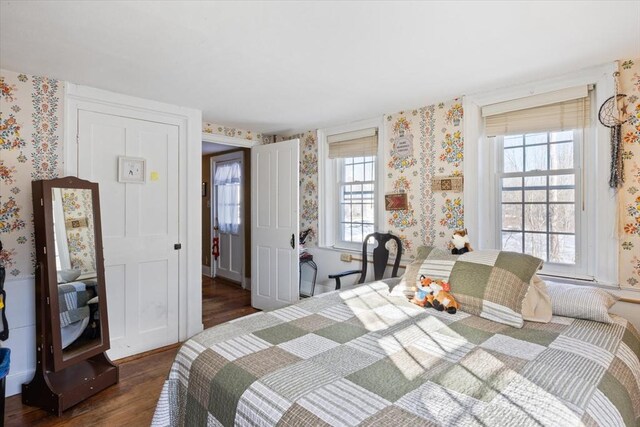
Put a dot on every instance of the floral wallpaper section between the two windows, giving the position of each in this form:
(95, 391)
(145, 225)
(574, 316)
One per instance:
(435, 140)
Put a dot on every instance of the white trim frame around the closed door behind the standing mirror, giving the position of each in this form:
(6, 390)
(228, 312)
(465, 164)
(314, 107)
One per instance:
(189, 122)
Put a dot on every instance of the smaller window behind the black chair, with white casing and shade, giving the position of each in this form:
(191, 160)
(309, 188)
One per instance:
(349, 193)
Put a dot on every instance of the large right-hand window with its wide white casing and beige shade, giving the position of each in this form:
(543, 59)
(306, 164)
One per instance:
(502, 119)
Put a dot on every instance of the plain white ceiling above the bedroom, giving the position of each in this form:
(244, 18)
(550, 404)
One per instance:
(275, 67)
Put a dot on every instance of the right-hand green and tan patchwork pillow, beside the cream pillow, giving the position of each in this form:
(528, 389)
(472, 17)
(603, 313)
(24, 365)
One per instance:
(493, 284)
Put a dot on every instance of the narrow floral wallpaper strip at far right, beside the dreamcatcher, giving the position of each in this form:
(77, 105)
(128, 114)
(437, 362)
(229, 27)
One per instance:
(629, 194)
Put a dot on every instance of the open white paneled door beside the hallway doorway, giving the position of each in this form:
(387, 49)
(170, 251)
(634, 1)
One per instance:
(275, 225)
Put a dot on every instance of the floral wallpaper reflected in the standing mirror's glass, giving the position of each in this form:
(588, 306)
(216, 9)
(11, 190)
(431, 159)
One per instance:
(77, 204)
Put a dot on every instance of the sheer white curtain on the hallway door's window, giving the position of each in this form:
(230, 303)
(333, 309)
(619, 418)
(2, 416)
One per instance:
(227, 183)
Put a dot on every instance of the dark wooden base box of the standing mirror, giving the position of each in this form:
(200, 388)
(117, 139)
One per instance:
(55, 392)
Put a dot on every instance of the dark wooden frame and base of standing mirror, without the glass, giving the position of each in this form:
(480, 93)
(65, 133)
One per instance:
(58, 383)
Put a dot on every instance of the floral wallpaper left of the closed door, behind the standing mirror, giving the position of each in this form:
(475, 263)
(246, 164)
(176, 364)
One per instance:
(30, 149)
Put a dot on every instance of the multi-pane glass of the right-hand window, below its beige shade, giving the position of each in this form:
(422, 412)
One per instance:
(538, 201)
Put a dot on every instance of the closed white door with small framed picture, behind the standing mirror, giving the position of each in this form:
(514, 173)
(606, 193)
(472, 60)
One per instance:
(139, 227)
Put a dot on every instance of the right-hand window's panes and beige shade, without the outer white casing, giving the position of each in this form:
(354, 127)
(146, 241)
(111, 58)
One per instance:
(537, 170)
